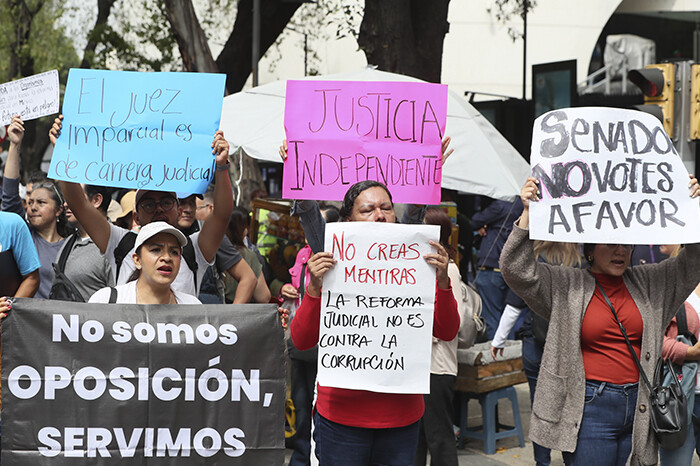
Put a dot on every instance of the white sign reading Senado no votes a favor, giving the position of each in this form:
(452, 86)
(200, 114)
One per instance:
(609, 176)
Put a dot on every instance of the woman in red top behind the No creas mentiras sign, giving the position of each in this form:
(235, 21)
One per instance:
(357, 427)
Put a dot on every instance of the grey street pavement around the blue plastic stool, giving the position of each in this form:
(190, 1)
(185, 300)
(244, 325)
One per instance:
(508, 451)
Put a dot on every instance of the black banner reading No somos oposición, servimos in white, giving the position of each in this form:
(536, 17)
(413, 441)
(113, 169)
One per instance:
(148, 385)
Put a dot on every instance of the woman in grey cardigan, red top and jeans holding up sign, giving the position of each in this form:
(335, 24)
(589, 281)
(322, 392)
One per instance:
(588, 402)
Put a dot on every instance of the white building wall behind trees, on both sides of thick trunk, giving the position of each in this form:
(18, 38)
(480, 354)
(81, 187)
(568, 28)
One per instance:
(479, 54)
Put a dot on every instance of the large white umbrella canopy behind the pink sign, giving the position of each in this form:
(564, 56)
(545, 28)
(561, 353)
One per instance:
(483, 162)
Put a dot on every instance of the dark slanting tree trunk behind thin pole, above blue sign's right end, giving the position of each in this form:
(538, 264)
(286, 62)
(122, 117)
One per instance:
(236, 57)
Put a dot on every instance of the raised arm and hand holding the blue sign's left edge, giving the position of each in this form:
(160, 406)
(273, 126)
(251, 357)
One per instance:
(96, 225)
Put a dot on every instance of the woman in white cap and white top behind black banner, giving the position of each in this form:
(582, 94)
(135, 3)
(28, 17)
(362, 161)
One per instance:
(157, 256)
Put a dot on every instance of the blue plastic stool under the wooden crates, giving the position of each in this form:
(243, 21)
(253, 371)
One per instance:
(489, 431)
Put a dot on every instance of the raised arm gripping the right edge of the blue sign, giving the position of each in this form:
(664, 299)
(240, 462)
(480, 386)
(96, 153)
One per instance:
(214, 228)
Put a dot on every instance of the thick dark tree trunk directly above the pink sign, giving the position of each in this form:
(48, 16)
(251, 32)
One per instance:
(405, 36)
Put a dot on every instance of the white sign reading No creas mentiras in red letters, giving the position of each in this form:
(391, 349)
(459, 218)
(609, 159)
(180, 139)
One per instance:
(377, 308)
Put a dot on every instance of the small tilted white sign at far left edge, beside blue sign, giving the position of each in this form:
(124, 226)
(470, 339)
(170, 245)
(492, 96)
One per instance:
(30, 98)
